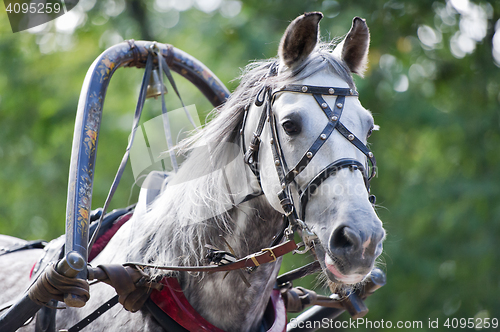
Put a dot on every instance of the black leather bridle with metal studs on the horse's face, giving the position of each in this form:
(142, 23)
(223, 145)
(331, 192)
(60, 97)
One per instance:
(286, 175)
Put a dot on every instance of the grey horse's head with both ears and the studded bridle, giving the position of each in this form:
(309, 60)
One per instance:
(314, 151)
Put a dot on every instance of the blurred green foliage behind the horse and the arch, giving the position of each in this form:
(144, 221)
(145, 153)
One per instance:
(438, 147)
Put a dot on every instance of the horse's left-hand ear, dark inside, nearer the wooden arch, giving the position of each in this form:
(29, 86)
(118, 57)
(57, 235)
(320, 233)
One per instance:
(299, 39)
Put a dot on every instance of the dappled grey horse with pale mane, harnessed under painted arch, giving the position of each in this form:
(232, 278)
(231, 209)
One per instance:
(203, 203)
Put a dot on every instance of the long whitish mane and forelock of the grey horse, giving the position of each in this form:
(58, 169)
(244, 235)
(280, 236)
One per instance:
(196, 207)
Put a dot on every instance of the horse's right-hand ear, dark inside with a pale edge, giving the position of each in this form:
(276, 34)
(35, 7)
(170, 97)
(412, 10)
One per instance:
(353, 50)
